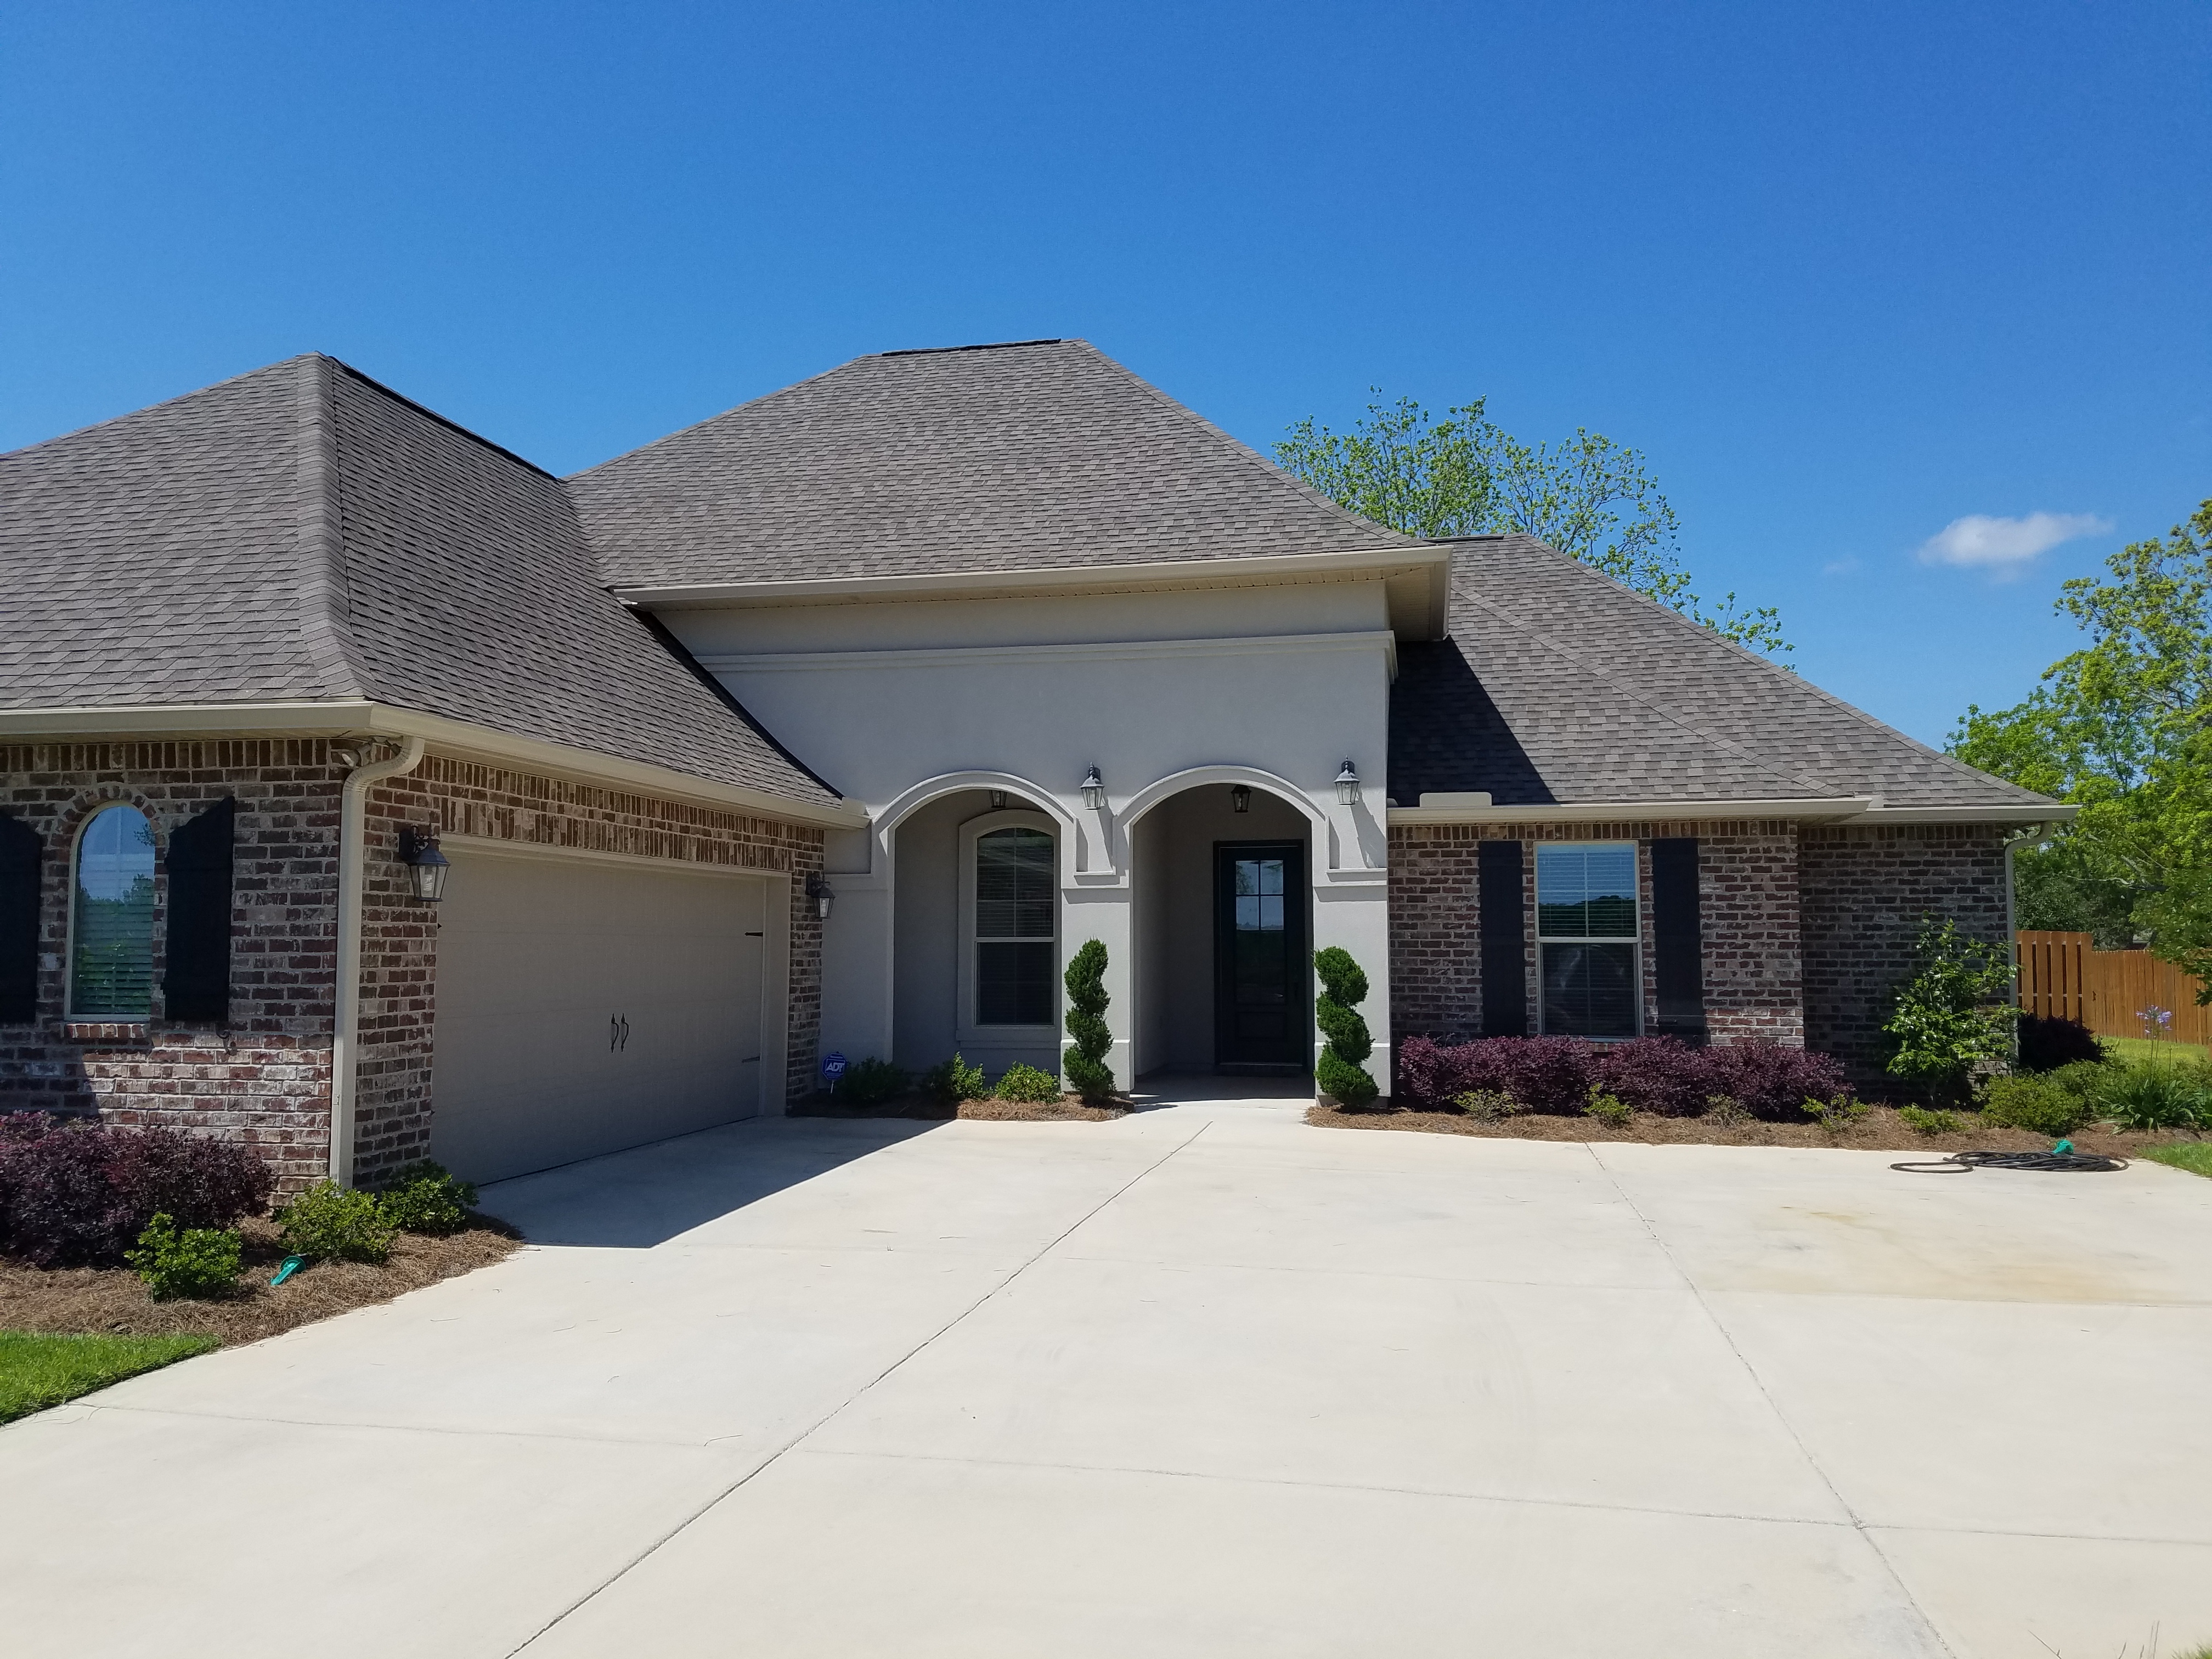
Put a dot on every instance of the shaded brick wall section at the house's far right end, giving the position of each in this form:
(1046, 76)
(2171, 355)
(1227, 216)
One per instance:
(1864, 897)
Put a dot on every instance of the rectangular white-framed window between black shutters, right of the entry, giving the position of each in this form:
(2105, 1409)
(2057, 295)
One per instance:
(1587, 941)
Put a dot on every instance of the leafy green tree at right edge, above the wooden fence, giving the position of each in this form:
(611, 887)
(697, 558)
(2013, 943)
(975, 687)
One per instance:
(2122, 729)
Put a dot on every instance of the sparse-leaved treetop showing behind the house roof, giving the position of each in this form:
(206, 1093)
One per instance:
(1465, 477)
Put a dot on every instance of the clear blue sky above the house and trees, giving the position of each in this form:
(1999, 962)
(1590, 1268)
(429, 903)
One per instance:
(1846, 273)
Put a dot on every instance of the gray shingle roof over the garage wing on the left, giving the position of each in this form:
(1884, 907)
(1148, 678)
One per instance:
(306, 534)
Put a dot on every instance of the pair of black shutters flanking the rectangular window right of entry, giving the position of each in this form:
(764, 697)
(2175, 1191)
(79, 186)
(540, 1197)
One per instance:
(1678, 957)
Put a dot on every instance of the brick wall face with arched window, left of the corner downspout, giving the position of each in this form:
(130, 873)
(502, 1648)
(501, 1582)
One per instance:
(267, 1076)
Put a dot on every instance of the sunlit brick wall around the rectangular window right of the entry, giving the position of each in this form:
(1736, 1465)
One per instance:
(1749, 915)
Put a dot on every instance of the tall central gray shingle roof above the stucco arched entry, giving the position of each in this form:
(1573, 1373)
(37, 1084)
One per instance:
(977, 459)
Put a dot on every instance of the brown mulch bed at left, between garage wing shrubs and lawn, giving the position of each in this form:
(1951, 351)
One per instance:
(116, 1302)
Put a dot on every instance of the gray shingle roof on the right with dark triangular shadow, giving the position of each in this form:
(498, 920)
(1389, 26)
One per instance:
(1561, 685)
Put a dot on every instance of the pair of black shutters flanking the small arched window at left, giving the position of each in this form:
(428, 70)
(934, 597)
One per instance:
(196, 985)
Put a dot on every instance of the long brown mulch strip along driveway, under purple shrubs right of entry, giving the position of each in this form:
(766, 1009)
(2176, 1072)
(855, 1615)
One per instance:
(1879, 1131)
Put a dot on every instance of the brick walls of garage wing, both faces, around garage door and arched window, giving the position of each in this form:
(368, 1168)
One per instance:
(264, 1076)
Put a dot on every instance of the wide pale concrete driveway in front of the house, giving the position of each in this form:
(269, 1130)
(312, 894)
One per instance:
(1204, 1381)
